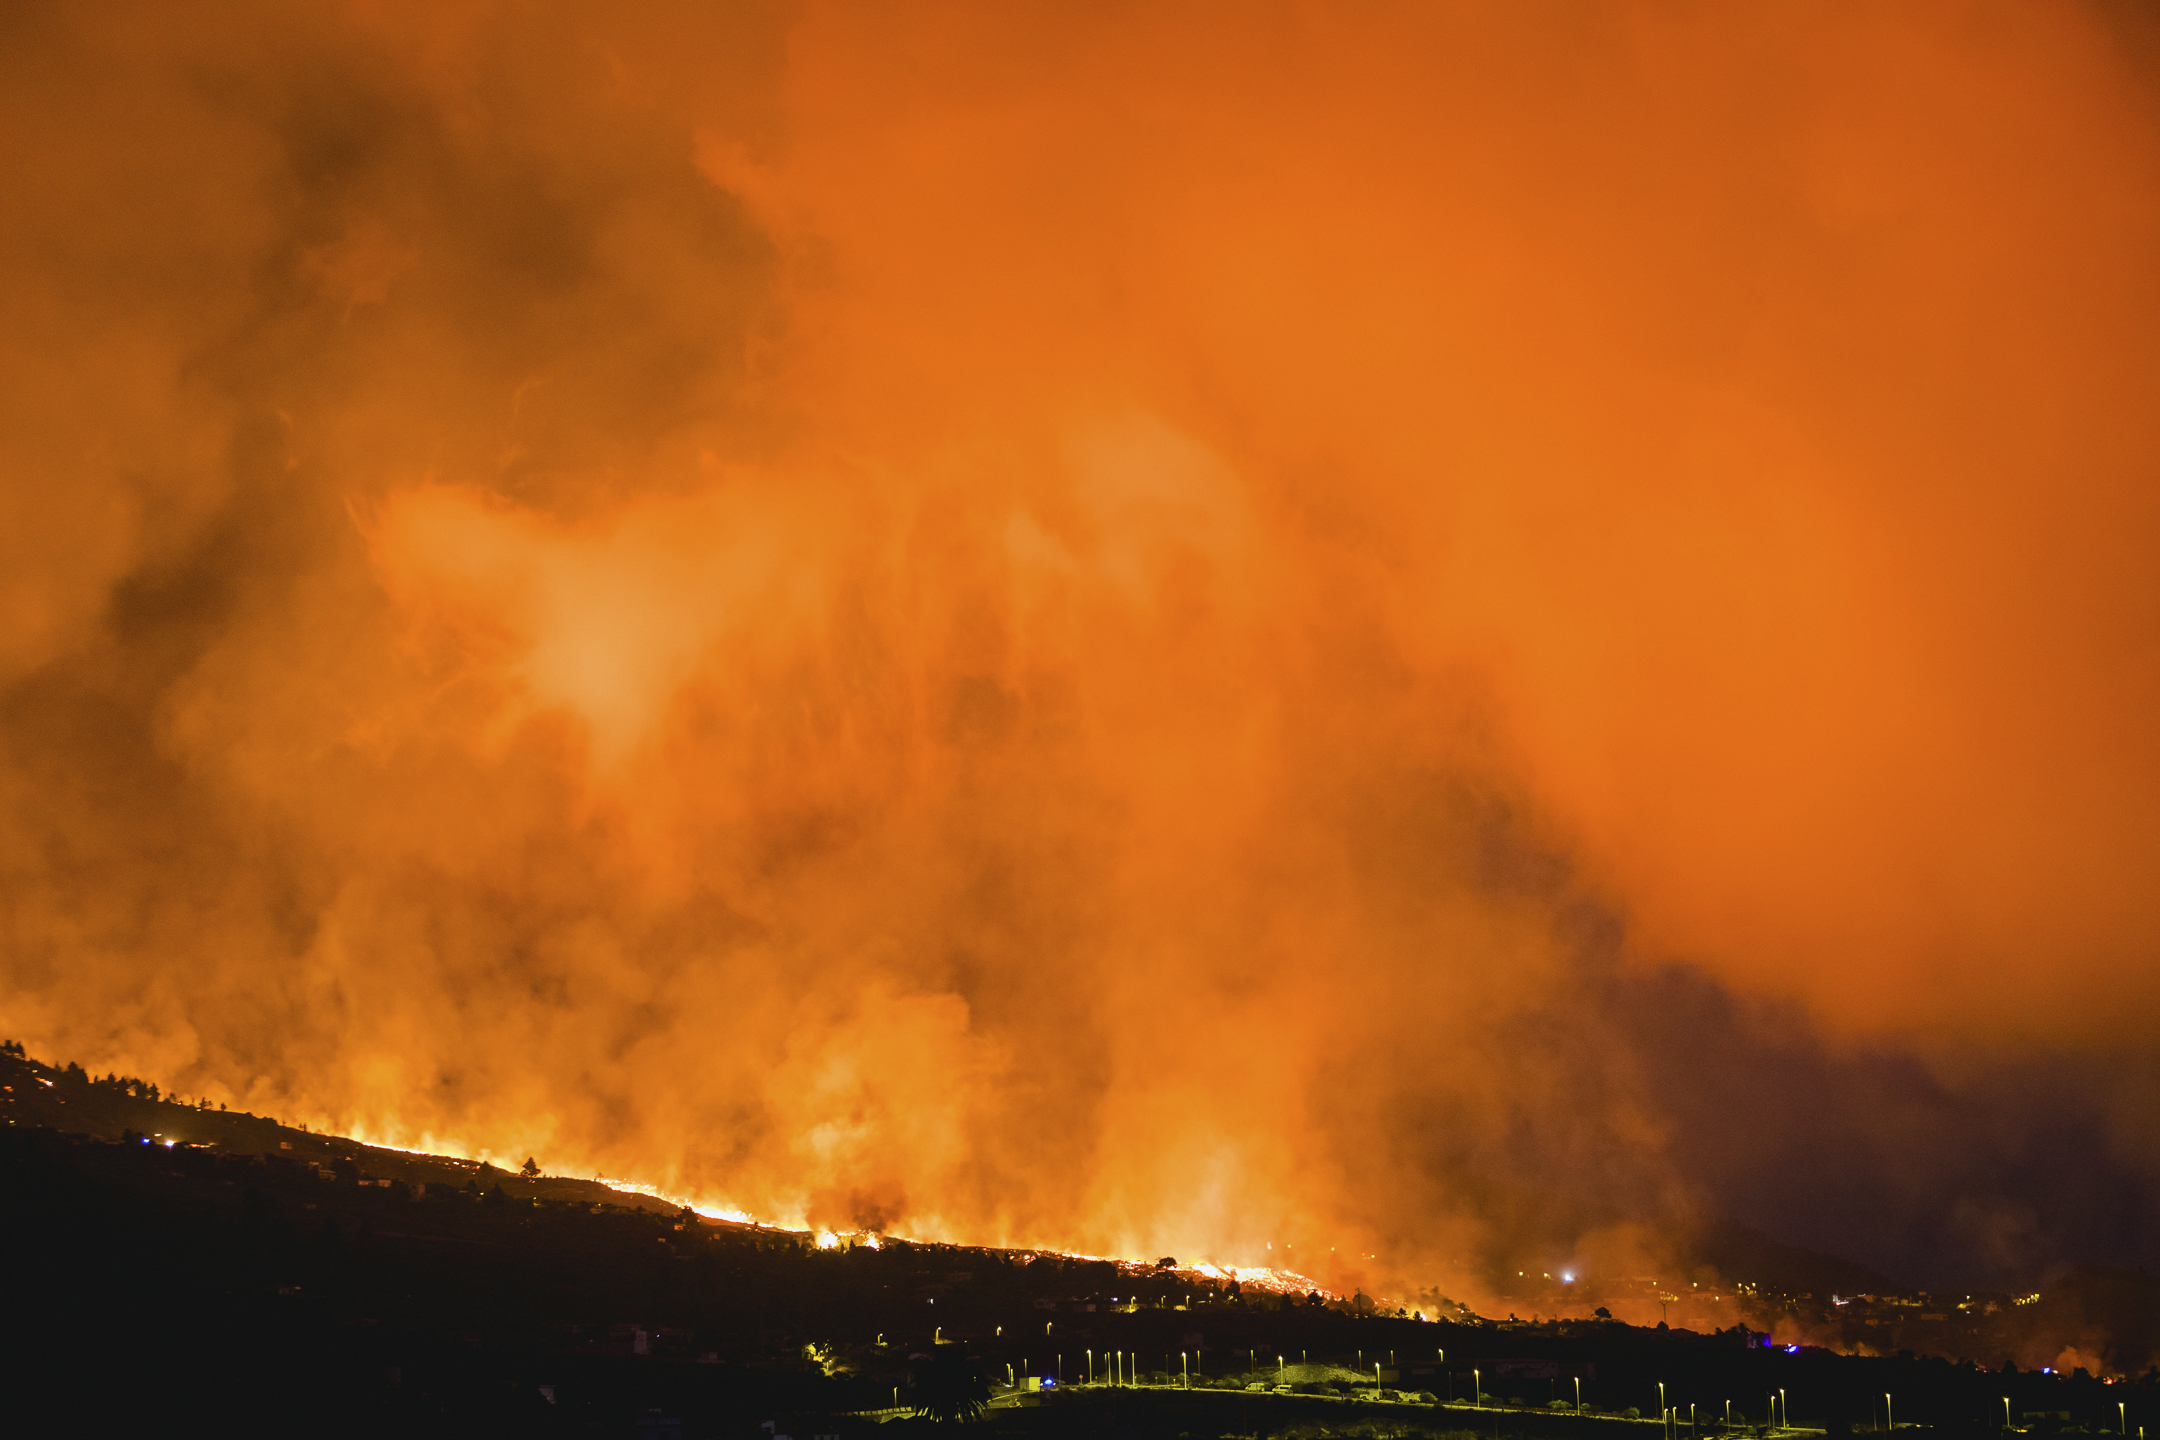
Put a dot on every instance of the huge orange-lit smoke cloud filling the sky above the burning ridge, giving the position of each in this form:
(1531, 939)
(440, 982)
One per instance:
(1103, 629)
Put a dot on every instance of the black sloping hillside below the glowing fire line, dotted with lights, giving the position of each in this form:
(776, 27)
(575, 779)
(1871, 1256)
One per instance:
(230, 1281)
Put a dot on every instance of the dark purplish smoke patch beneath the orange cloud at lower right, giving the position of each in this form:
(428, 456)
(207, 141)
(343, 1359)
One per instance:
(1993, 1171)
